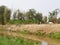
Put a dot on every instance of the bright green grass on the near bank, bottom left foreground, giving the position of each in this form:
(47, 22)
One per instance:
(17, 41)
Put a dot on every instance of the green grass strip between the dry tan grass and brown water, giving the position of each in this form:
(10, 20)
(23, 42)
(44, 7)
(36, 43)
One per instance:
(55, 35)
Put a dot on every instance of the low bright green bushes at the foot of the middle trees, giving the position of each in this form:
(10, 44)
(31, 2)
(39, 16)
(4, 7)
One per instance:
(23, 21)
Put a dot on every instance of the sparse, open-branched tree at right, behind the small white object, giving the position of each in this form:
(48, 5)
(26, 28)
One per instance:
(53, 15)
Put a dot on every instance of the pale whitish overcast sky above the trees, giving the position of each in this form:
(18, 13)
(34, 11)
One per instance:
(43, 6)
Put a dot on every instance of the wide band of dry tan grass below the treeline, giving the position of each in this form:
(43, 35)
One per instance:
(34, 27)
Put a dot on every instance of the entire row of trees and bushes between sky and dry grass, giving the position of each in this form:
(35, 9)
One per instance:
(29, 17)
